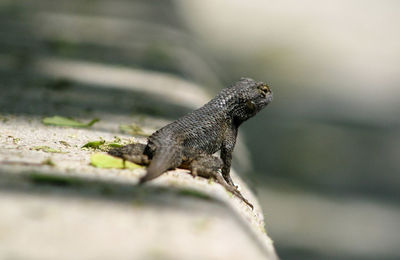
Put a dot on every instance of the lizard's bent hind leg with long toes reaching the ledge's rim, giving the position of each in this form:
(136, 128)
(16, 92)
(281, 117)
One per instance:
(209, 166)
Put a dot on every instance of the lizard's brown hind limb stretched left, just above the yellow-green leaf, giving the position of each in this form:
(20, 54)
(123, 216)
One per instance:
(132, 152)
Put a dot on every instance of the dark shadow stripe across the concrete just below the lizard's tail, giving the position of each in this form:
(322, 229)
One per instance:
(62, 186)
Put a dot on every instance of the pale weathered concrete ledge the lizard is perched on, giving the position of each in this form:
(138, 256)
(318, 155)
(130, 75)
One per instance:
(100, 213)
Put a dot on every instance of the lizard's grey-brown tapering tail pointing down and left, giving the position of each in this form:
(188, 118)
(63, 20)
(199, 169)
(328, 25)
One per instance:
(163, 160)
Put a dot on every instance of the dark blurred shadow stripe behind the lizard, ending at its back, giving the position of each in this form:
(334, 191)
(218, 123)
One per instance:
(41, 96)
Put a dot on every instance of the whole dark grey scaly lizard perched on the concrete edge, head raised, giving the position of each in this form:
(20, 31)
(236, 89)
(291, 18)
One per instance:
(190, 141)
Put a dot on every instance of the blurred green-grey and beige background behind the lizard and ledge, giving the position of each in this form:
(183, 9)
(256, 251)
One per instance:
(325, 153)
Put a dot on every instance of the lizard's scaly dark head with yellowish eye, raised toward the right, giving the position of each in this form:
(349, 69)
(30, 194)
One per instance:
(252, 97)
